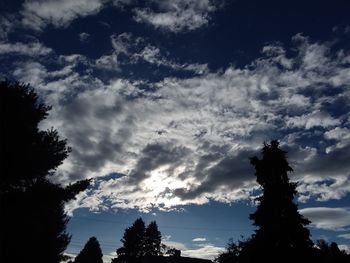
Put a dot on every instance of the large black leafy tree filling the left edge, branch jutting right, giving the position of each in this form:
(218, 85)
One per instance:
(32, 207)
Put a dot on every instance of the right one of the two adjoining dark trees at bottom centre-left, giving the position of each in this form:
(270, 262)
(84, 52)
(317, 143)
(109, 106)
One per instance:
(152, 242)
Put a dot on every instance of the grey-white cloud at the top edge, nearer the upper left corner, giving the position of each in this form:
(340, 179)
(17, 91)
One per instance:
(37, 14)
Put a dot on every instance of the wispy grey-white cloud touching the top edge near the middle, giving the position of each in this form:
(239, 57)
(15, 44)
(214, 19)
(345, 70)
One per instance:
(177, 16)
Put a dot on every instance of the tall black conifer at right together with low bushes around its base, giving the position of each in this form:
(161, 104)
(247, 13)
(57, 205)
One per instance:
(281, 234)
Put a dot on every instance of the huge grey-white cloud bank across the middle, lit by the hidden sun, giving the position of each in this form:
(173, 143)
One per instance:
(187, 140)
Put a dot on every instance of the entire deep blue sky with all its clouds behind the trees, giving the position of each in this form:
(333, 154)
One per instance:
(164, 102)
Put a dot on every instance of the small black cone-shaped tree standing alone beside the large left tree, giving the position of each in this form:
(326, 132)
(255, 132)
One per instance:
(91, 253)
